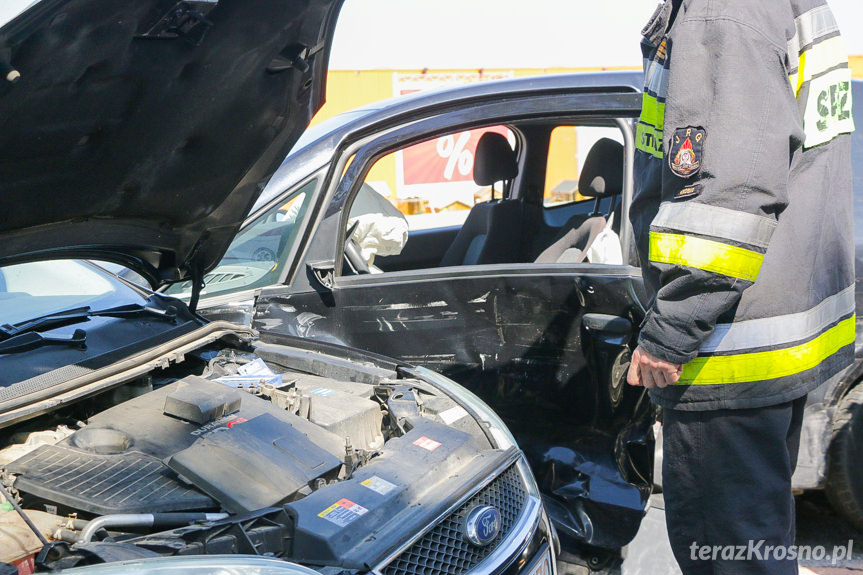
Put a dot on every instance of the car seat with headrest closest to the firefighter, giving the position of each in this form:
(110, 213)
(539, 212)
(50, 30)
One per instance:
(601, 177)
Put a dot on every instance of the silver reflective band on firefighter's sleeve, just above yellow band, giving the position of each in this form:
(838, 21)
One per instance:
(716, 222)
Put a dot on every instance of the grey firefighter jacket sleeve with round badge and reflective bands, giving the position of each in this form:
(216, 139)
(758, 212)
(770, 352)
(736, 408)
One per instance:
(730, 126)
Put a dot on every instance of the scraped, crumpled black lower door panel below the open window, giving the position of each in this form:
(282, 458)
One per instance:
(517, 336)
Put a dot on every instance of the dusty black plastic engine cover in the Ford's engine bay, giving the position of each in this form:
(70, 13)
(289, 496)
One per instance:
(191, 445)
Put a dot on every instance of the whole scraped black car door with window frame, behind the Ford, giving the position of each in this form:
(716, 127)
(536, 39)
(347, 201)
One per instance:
(547, 345)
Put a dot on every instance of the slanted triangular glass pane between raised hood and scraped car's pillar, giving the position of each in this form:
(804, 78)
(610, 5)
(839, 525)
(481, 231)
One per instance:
(260, 249)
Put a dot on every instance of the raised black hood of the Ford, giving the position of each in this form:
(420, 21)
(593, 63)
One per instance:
(142, 131)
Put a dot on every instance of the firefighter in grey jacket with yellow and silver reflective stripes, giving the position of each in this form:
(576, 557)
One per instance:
(743, 222)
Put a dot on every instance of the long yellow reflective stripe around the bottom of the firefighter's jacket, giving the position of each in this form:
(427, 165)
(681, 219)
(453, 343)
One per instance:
(760, 366)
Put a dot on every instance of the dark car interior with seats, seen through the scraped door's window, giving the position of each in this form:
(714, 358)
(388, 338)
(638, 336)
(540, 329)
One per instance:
(515, 225)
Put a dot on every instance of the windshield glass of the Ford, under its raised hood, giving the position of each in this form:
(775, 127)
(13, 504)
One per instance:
(36, 289)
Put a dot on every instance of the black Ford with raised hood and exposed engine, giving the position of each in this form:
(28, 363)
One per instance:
(138, 437)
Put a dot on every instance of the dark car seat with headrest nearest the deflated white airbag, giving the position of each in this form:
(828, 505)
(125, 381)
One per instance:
(492, 231)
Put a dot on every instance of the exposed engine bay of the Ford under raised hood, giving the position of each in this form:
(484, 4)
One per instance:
(240, 450)
